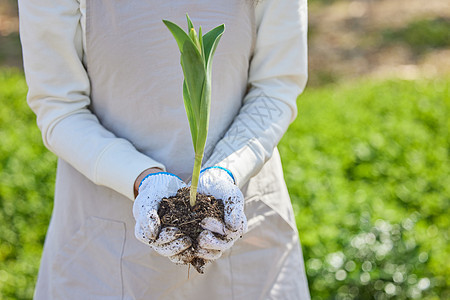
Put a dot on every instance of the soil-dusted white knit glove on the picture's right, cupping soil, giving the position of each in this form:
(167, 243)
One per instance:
(219, 182)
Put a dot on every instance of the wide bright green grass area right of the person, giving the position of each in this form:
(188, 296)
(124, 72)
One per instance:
(367, 166)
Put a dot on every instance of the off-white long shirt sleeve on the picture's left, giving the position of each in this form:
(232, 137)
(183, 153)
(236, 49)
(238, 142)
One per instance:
(59, 90)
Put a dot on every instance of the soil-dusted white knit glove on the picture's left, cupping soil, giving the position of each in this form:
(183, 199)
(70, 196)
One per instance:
(169, 241)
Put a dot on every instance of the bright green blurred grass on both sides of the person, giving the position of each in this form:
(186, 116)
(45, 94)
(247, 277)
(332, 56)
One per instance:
(367, 166)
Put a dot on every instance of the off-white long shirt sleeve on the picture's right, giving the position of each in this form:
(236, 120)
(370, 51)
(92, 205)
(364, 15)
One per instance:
(277, 75)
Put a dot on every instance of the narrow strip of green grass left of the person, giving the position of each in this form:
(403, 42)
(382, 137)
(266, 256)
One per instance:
(26, 190)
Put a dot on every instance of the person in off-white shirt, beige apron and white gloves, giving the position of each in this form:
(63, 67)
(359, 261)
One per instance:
(105, 83)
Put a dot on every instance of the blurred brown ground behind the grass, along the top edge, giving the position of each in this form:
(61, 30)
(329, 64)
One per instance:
(345, 39)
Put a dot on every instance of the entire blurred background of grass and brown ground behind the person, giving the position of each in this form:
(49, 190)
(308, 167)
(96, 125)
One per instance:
(367, 161)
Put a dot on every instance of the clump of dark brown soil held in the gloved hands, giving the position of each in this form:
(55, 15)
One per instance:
(177, 212)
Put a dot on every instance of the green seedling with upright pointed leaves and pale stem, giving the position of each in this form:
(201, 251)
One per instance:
(197, 51)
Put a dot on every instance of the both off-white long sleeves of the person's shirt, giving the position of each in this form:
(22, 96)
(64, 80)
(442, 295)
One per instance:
(52, 43)
